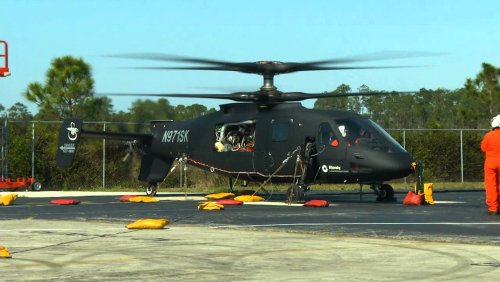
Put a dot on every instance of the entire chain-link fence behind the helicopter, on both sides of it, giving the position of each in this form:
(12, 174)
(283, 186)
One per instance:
(449, 155)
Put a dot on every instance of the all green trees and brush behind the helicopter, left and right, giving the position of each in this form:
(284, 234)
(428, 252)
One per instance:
(68, 91)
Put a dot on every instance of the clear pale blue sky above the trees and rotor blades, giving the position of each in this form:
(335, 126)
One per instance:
(466, 33)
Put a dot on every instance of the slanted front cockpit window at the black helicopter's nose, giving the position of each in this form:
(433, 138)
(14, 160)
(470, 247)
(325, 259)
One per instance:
(365, 133)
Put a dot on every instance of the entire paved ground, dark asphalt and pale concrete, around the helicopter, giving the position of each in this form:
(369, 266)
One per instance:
(354, 239)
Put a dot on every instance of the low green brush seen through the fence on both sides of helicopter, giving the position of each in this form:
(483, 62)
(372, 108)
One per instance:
(438, 150)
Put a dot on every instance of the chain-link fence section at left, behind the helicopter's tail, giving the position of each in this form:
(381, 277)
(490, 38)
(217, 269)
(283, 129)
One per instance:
(29, 149)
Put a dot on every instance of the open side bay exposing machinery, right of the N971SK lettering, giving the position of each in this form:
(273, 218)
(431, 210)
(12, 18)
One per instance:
(235, 137)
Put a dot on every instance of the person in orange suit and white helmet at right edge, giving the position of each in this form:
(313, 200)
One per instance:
(491, 147)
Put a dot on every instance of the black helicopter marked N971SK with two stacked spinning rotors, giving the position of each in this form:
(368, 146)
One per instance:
(266, 135)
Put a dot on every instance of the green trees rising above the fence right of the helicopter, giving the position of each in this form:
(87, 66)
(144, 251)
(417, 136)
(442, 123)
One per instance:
(471, 106)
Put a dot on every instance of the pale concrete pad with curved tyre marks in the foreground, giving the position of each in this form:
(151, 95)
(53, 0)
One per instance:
(83, 251)
